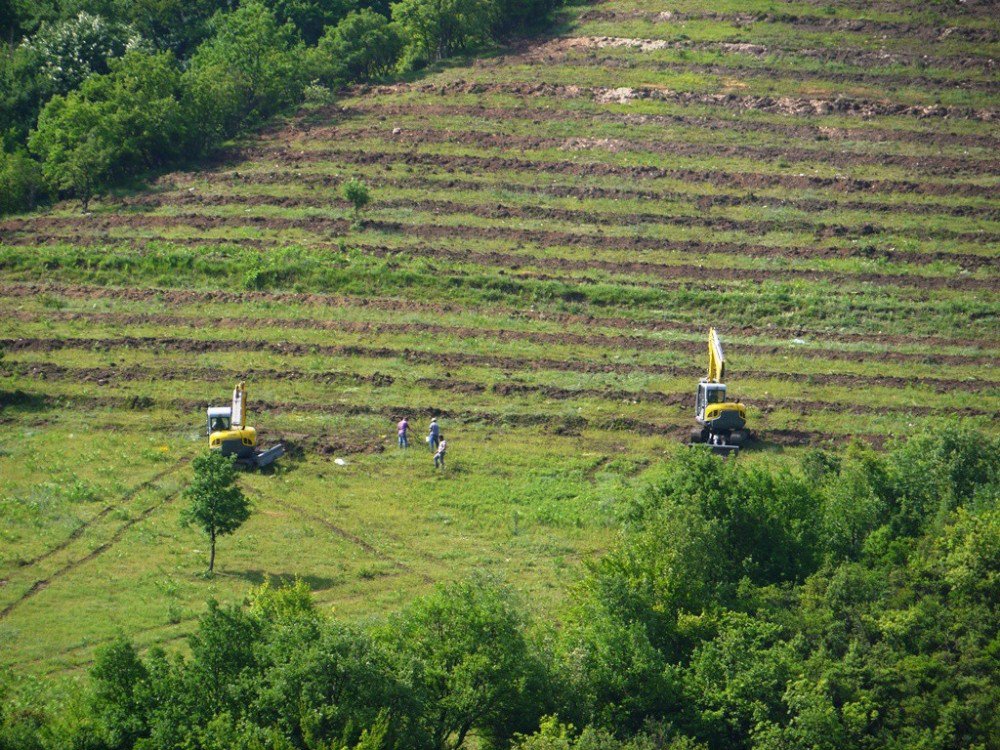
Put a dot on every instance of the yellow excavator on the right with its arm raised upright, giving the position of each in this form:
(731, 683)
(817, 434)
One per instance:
(721, 422)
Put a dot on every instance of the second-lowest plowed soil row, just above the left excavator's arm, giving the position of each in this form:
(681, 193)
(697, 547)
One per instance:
(109, 376)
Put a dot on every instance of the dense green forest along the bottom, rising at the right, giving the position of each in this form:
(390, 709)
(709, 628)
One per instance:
(851, 602)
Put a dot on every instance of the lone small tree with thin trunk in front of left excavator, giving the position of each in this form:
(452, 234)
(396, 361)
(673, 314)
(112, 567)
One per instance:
(217, 505)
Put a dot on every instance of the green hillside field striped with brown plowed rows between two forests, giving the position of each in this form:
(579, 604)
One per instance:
(554, 227)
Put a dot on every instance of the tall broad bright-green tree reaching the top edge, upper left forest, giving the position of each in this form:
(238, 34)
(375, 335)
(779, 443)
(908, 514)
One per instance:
(248, 70)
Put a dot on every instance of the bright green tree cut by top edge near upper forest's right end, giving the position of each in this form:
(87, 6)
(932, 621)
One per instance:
(436, 29)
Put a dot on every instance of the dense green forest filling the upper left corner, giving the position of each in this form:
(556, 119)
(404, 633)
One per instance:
(96, 92)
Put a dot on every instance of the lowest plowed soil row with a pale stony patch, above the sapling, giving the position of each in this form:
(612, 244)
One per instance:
(930, 165)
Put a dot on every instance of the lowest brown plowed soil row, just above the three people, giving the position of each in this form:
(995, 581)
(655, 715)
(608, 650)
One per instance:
(556, 424)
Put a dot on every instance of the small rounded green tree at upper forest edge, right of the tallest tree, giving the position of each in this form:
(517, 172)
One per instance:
(364, 45)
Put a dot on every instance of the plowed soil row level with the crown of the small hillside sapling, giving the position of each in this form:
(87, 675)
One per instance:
(703, 201)
